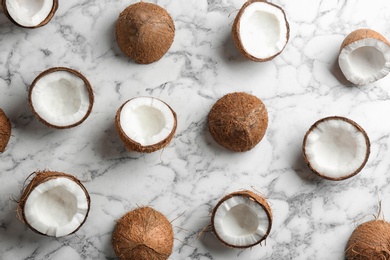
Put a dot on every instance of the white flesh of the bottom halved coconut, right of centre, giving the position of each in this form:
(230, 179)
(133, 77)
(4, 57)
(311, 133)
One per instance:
(239, 221)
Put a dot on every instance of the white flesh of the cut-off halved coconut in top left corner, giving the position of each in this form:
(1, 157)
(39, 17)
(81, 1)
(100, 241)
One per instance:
(29, 13)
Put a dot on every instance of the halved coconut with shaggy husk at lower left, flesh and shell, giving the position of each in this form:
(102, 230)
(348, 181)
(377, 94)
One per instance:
(54, 204)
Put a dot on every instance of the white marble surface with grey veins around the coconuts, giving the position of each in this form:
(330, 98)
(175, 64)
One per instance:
(313, 218)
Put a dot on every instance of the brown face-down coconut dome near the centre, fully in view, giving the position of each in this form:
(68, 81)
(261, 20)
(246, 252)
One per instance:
(238, 121)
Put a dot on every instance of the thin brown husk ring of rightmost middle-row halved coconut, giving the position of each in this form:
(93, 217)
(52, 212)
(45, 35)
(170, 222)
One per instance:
(358, 127)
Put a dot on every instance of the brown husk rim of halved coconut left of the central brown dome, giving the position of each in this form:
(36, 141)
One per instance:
(134, 146)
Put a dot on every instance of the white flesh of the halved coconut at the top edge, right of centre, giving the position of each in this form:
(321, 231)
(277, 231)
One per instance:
(263, 30)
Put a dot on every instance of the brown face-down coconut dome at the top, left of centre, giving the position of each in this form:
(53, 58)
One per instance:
(145, 32)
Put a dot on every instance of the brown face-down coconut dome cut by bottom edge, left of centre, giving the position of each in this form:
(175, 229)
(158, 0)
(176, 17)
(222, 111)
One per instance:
(143, 234)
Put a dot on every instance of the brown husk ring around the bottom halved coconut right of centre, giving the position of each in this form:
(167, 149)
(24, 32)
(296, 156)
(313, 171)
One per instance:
(254, 197)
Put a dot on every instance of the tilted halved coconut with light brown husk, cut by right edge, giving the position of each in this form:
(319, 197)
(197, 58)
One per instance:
(364, 57)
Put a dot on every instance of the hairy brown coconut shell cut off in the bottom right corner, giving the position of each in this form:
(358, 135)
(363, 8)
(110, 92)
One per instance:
(370, 241)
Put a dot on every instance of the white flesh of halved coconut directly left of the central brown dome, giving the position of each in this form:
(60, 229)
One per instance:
(146, 120)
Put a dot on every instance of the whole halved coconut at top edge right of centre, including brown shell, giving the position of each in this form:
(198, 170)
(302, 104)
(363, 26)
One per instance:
(260, 30)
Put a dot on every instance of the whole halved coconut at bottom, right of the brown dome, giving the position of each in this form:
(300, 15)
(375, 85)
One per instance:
(241, 219)
